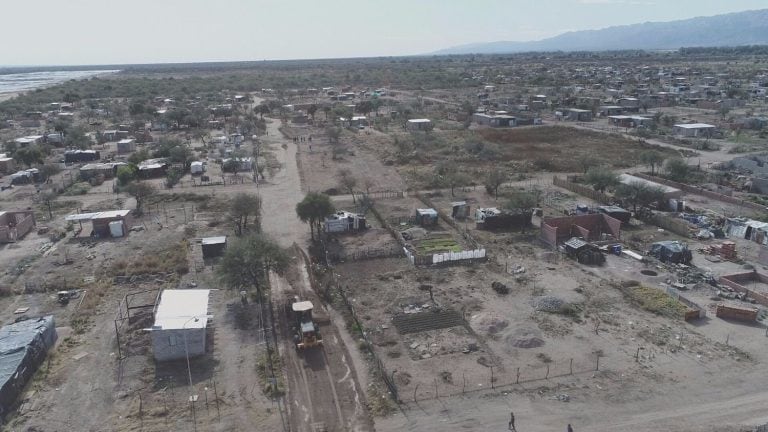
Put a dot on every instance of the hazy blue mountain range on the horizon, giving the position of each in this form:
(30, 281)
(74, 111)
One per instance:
(733, 29)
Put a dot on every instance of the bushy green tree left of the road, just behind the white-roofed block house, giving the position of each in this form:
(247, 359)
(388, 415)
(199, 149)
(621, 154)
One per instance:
(248, 260)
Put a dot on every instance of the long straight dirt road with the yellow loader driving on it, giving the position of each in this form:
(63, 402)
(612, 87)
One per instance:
(322, 386)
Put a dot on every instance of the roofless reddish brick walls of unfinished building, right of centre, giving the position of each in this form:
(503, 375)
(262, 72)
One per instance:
(590, 227)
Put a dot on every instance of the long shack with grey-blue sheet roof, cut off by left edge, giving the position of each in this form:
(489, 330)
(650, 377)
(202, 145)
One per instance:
(23, 346)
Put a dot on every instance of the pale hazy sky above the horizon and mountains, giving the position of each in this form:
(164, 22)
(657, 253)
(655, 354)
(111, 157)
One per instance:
(64, 32)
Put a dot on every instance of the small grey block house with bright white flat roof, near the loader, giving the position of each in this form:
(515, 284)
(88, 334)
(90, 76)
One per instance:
(181, 320)
